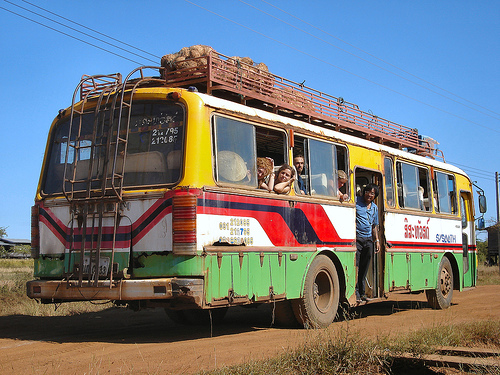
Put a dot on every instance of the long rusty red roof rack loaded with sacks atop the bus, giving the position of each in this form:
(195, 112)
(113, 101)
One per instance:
(233, 79)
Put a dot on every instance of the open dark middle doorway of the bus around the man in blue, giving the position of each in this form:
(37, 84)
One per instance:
(375, 277)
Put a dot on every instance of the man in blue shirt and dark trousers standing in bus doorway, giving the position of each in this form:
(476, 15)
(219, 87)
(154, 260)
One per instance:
(366, 235)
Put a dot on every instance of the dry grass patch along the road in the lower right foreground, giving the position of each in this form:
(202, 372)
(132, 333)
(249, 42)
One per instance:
(345, 352)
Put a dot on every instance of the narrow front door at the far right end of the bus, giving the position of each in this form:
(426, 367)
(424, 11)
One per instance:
(468, 240)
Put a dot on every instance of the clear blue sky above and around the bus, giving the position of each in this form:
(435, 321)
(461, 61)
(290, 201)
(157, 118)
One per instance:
(451, 49)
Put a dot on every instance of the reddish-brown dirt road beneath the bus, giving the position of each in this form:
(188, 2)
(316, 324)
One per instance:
(119, 341)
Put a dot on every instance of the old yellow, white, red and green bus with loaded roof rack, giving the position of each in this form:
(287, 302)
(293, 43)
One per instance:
(148, 197)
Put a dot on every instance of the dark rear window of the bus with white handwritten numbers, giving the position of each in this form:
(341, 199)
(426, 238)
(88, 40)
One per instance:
(152, 151)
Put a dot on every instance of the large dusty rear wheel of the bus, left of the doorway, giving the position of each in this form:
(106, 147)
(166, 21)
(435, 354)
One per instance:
(318, 306)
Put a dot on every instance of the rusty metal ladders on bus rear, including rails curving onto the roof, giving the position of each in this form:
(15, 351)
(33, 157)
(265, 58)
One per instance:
(106, 200)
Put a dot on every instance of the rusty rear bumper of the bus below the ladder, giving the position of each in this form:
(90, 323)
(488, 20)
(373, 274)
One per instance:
(120, 290)
